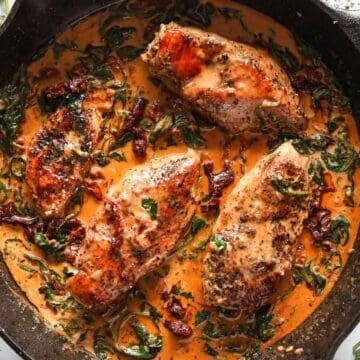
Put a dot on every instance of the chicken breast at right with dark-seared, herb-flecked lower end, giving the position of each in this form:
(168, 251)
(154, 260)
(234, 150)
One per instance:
(254, 236)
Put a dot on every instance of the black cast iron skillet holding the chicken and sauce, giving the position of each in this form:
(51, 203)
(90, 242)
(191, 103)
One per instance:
(30, 27)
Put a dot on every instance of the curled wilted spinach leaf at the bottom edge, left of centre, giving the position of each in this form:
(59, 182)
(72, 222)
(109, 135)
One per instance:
(149, 345)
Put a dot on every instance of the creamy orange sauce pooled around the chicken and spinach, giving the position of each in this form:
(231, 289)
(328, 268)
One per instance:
(292, 311)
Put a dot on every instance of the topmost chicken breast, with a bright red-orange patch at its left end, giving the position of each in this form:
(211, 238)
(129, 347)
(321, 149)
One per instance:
(238, 86)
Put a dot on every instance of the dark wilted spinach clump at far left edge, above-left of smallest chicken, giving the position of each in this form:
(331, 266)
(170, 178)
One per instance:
(12, 109)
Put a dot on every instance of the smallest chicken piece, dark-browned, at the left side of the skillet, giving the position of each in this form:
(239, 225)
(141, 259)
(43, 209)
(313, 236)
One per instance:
(59, 158)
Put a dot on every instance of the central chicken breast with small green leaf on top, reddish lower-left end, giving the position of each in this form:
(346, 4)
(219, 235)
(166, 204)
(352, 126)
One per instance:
(140, 223)
